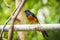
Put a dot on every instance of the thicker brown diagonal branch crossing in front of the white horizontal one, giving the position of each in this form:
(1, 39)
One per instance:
(11, 29)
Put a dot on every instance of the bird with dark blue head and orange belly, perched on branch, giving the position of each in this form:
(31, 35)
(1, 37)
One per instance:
(33, 19)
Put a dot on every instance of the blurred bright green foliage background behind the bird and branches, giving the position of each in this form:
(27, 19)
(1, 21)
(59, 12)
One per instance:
(47, 11)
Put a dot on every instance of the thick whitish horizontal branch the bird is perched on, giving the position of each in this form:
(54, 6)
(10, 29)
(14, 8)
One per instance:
(27, 27)
